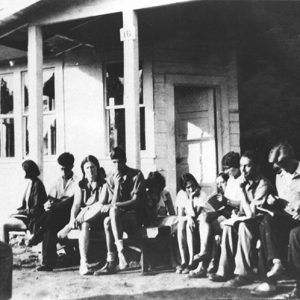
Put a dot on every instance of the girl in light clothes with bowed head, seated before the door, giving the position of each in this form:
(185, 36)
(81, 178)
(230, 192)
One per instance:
(190, 201)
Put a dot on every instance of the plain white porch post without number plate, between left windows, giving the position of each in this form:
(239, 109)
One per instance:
(35, 92)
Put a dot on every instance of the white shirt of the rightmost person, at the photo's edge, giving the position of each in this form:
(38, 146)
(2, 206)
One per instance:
(288, 188)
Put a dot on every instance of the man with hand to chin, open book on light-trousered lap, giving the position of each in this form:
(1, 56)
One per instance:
(241, 232)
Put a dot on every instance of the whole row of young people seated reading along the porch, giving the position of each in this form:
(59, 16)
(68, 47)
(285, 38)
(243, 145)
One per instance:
(245, 212)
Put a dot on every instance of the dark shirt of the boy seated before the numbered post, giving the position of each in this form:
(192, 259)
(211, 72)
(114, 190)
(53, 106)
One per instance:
(133, 183)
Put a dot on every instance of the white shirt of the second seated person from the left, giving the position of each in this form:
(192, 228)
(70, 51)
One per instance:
(60, 191)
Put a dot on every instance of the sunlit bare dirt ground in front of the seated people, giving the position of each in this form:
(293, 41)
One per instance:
(66, 283)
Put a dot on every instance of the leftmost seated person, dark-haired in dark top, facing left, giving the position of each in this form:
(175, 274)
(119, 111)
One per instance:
(32, 204)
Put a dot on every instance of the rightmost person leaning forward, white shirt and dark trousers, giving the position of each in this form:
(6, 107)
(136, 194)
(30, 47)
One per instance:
(275, 230)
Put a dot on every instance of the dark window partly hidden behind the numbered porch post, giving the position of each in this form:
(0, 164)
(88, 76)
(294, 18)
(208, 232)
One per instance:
(115, 108)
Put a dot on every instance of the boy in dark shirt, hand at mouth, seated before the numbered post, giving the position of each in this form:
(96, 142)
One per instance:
(126, 193)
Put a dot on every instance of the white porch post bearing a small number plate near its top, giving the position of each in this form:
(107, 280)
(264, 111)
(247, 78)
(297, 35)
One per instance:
(129, 35)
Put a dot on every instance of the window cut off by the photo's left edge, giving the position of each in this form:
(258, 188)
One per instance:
(7, 130)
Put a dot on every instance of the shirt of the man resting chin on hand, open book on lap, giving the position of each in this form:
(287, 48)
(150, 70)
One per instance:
(258, 190)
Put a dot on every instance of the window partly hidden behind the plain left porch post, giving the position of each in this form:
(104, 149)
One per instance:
(49, 114)
